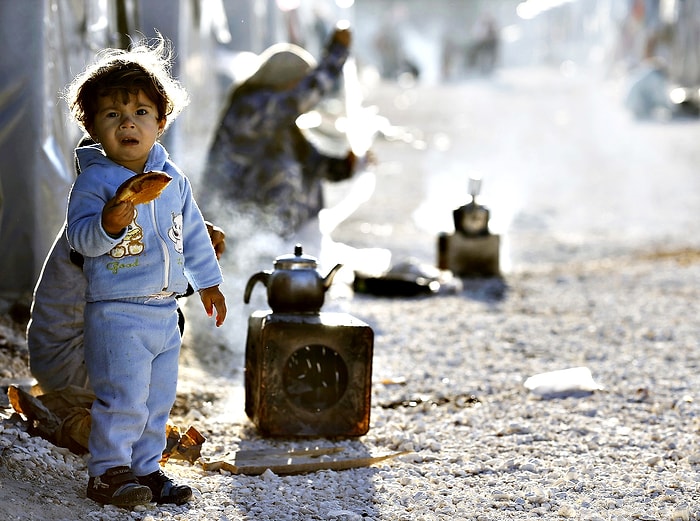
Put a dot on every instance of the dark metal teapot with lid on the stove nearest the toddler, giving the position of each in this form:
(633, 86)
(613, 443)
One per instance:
(294, 286)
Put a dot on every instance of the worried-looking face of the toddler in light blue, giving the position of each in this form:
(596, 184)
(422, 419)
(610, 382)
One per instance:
(127, 131)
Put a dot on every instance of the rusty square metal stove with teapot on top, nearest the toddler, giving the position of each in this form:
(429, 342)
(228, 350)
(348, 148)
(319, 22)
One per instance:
(307, 372)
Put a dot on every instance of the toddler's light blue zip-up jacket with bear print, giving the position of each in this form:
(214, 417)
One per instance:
(166, 245)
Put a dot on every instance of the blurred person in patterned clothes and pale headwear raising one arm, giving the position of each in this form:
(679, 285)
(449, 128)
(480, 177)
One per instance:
(260, 167)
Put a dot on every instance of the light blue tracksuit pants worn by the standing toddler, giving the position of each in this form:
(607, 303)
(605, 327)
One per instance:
(132, 347)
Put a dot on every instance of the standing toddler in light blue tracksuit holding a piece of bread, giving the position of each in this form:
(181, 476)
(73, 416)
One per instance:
(137, 260)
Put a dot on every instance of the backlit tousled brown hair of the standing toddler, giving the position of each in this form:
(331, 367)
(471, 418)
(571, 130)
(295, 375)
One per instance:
(145, 66)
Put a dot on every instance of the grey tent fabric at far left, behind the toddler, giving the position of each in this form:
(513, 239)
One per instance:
(39, 52)
